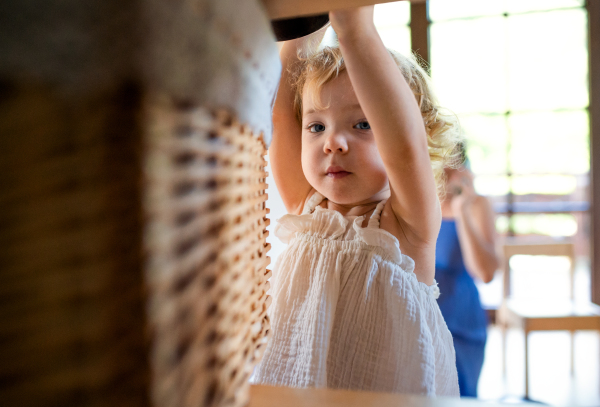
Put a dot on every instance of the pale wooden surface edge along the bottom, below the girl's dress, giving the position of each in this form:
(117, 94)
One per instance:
(265, 396)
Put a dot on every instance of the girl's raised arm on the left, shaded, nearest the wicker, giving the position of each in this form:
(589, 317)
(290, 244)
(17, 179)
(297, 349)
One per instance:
(286, 147)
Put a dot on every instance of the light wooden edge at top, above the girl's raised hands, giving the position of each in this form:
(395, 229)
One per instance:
(294, 8)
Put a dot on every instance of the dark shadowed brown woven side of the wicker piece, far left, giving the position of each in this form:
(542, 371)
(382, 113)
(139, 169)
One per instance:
(71, 280)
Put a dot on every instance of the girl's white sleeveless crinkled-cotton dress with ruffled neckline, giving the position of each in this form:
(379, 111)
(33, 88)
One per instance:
(348, 311)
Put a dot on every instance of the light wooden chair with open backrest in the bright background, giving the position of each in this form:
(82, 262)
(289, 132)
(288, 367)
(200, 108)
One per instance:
(544, 314)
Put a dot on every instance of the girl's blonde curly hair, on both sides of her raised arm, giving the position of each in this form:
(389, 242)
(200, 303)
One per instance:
(442, 127)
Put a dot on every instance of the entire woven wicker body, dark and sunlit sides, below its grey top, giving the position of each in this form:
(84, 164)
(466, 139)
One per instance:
(129, 249)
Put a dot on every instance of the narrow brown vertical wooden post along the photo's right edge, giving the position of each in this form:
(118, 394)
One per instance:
(593, 7)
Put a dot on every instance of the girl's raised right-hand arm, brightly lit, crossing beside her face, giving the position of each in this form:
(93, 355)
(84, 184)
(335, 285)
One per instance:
(392, 111)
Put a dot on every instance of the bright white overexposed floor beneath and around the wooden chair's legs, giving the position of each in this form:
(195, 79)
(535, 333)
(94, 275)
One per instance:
(550, 379)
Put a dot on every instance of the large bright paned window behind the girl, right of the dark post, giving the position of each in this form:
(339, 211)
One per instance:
(516, 74)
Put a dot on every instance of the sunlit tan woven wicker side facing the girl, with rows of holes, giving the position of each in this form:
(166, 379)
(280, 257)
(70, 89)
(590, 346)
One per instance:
(205, 242)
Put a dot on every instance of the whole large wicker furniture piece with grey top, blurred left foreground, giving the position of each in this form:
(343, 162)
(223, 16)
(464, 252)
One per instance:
(132, 201)
